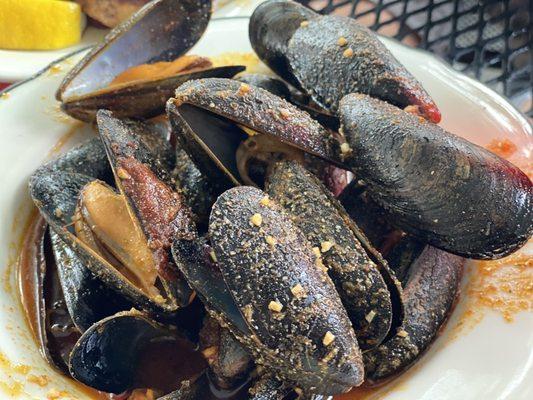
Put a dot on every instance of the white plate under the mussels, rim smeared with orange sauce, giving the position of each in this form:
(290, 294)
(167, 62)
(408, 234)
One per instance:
(494, 360)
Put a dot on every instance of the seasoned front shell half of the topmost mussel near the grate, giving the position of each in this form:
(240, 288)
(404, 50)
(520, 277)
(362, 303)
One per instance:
(321, 66)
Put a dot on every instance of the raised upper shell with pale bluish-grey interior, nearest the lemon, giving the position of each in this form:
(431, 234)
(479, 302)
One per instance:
(161, 31)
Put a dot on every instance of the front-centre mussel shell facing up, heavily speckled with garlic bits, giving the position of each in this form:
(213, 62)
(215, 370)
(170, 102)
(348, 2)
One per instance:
(289, 340)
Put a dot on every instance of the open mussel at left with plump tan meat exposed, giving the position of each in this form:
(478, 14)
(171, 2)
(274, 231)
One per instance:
(109, 231)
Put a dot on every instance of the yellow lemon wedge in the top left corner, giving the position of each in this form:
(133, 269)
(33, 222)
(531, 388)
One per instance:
(39, 24)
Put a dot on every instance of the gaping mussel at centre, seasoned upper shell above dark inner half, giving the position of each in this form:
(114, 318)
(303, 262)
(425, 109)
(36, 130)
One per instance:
(206, 115)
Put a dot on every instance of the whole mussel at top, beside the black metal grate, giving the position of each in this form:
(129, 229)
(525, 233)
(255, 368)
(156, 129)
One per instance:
(331, 56)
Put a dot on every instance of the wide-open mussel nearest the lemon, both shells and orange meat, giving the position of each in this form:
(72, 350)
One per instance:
(158, 35)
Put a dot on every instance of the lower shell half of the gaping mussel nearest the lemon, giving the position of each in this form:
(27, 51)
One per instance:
(142, 99)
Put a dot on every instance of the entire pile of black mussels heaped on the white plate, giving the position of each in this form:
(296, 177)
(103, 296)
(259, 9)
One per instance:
(306, 233)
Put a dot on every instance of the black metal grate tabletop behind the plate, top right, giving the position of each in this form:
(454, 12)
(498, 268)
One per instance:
(487, 39)
